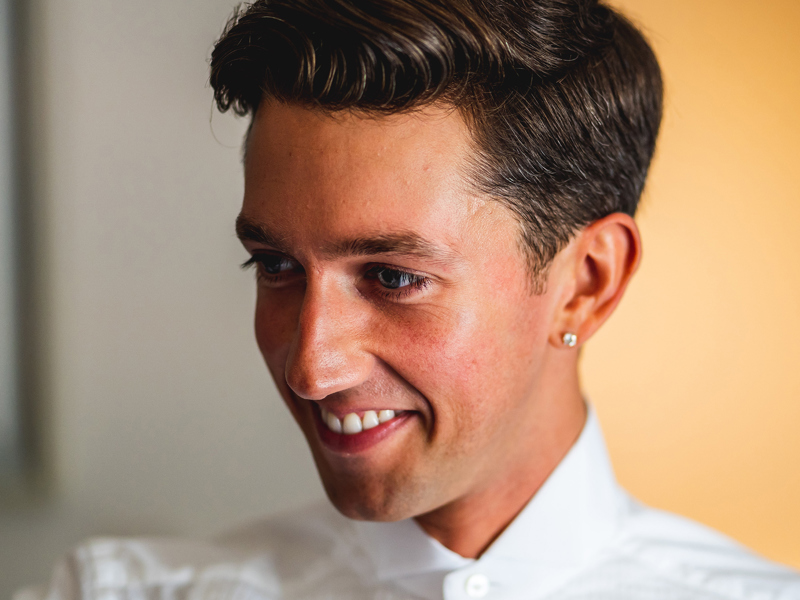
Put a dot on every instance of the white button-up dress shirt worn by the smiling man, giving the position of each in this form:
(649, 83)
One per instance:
(580, 537)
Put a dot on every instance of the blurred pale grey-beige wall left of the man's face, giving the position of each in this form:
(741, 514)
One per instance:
(162, 417)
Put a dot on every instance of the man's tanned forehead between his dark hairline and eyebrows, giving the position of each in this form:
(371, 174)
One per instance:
(324, 173)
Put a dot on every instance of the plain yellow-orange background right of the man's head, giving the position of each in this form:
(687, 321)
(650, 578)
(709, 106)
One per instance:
(696, 379)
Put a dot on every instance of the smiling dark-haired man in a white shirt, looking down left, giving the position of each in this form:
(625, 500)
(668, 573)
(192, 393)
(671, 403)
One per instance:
(439, 202)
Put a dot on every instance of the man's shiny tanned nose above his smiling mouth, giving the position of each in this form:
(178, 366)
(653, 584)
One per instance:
(327, 353)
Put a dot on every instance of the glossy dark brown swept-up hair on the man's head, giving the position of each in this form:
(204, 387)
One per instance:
(563, 97)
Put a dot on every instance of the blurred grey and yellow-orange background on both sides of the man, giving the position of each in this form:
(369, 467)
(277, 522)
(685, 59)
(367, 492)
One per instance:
(142, 390)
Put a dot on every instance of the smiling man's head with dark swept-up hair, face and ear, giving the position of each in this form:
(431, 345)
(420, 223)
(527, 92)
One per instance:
(410, 165)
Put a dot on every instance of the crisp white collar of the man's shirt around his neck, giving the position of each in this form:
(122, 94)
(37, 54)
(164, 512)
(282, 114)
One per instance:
(573, 515)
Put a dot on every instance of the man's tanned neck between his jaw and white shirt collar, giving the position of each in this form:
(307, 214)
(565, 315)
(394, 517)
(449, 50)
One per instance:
(470, 524)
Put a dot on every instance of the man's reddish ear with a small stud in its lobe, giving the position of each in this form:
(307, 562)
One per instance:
(598, 265)
